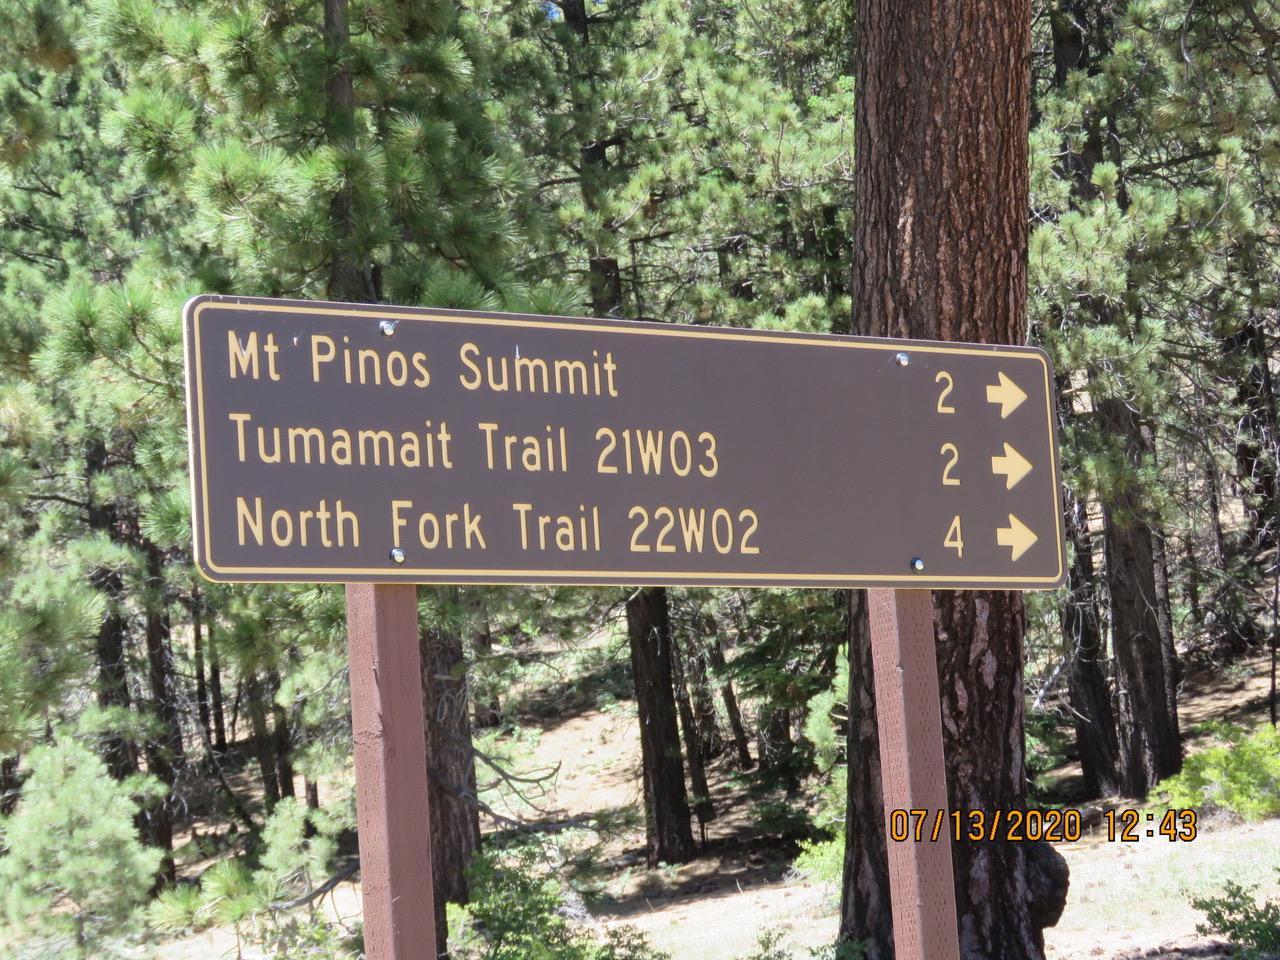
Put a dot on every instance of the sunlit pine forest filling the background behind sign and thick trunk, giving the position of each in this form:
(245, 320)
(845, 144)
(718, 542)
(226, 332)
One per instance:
(176, 755)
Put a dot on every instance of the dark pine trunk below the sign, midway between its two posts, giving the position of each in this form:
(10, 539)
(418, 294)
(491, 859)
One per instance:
(670, 839)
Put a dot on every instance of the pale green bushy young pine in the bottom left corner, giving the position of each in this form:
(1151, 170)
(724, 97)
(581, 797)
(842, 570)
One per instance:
(75, 866)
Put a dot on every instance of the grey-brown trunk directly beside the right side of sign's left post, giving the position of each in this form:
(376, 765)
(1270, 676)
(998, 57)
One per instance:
(451, 769)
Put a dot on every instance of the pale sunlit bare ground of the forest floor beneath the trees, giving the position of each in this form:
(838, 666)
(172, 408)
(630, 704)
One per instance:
(1127, 902)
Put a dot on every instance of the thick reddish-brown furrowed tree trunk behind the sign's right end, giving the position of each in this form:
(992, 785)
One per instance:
(941, 254)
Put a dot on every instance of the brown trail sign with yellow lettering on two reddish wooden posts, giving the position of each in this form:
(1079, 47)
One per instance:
(377, 445)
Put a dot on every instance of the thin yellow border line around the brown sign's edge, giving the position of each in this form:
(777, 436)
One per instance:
(203, 552)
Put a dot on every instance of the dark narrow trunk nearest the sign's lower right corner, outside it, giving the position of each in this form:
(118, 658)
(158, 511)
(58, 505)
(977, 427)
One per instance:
(1086, 650)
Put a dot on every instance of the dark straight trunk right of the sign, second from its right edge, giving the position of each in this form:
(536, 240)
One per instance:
(1150, 744)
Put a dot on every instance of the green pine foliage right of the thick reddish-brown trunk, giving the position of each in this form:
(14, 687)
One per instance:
(1154, 175)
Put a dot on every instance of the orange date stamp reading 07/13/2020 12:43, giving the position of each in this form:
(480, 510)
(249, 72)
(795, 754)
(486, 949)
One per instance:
(1054, 826)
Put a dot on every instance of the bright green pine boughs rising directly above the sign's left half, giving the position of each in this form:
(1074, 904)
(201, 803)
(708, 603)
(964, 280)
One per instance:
(232, 108)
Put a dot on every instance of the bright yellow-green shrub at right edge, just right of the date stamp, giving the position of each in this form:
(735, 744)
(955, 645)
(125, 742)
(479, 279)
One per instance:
(1240, 772)
